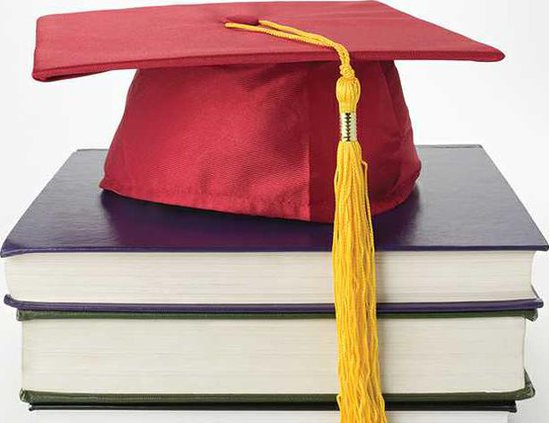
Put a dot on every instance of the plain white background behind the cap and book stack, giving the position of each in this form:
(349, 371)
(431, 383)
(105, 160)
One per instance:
(503, 106)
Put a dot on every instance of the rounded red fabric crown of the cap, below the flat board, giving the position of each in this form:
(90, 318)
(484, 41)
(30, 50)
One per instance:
(257, 139)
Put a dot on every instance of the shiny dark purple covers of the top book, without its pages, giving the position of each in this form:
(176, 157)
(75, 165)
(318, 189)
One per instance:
(462, 204)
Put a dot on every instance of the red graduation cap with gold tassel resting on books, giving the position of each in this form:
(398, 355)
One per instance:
(234, 107)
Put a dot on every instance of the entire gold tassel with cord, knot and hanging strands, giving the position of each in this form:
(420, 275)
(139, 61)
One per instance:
(360, 399)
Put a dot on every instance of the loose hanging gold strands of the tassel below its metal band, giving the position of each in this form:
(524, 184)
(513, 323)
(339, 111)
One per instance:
(360, 398)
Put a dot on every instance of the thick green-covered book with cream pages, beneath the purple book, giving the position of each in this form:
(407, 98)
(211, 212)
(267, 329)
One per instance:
(264, 358)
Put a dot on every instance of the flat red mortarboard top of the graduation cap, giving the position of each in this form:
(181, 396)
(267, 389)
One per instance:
(193, 35)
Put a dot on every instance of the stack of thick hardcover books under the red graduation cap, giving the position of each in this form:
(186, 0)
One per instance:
(131, 304)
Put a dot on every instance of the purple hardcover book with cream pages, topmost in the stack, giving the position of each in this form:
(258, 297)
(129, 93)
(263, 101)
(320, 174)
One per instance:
(462, 209)
